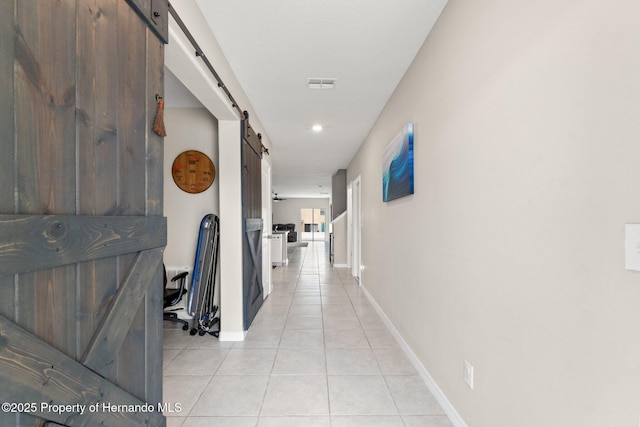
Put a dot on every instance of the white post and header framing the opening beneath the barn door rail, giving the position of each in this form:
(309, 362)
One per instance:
(190, 70)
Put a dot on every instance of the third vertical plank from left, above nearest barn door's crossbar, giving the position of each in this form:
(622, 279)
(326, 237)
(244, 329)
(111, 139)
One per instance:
(97, 108)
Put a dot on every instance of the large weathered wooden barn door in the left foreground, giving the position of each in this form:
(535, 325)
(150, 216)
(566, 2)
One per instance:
(81, 225)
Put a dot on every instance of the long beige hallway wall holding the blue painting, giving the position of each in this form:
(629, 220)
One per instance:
(510, 252)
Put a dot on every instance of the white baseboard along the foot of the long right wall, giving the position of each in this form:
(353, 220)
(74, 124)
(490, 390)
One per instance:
(448, 408)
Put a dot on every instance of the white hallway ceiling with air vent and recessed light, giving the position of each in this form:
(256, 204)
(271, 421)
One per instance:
(274, 46)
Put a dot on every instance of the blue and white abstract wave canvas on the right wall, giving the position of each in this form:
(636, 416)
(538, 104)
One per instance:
(397, 166)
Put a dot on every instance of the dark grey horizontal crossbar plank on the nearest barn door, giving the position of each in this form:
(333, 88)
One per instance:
(36, 242)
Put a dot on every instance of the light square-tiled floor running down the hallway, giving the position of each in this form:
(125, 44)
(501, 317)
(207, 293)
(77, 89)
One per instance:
(317, 354)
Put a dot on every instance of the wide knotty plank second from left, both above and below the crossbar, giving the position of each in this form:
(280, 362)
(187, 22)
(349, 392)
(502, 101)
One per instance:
(45, 122)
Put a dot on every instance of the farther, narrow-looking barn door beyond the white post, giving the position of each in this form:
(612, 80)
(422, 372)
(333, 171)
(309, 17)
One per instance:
(252, 222)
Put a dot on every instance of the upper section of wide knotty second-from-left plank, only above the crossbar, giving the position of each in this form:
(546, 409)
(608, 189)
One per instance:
(45, 82)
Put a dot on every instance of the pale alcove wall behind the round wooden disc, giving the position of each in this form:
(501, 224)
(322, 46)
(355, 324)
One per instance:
(187, 129)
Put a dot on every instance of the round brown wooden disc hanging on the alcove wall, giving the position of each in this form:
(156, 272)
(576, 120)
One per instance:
(193, 171)
